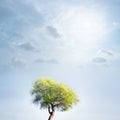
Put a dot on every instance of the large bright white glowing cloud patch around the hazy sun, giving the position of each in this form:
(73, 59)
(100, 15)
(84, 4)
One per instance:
(81, 25)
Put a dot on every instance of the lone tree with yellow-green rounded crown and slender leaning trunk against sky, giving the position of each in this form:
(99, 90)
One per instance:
(53, 96)
